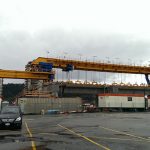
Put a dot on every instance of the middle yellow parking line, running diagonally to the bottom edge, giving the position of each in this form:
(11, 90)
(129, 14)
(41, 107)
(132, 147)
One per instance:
(84, 137)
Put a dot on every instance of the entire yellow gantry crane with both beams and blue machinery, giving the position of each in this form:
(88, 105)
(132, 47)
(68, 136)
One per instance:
(41, 68)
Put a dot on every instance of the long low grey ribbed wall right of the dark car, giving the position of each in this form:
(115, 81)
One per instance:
(36, 105)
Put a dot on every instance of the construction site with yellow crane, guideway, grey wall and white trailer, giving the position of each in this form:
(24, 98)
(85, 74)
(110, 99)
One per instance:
(43, 92)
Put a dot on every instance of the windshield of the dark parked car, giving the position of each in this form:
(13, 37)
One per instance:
(10, 110)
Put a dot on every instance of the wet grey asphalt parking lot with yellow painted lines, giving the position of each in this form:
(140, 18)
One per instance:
(84, 131)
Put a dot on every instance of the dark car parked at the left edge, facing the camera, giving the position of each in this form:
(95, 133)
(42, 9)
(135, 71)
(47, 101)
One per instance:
(11, 116)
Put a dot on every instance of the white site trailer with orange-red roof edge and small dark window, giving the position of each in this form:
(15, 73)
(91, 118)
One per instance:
(135, 101)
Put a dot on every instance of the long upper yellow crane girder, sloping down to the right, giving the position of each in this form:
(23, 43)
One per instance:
(68, 65)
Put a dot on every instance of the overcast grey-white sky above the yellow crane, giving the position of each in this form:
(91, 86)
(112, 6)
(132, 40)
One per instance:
(118, 30)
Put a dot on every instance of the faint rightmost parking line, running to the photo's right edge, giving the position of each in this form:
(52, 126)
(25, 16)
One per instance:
(131, 135)
